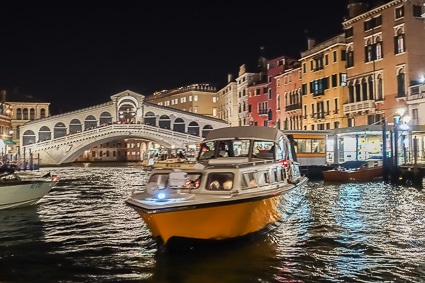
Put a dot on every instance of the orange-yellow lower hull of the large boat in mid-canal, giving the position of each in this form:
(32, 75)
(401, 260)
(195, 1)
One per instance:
(214, 222)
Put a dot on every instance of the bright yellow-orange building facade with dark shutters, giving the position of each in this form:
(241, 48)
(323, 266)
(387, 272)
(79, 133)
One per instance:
(324, 80)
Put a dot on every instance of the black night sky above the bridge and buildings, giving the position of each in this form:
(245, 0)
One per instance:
(77, 53)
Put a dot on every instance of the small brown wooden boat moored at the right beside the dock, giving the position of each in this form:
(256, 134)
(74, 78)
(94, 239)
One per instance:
(354, 171)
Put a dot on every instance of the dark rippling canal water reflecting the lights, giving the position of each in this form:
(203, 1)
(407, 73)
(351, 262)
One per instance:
(82, 231)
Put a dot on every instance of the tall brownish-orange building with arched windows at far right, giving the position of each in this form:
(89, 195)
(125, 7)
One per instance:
(385, 56)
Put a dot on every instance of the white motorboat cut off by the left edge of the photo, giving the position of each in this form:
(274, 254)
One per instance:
(16, 191)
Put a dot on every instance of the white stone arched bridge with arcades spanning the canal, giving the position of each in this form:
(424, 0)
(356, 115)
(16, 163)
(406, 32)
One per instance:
(60, 139)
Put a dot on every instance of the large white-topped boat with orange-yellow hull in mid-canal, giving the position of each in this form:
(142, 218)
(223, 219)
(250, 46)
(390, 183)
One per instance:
(238, 186)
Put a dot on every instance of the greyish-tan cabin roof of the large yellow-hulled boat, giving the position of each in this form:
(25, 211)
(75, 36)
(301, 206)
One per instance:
(245, 132)
